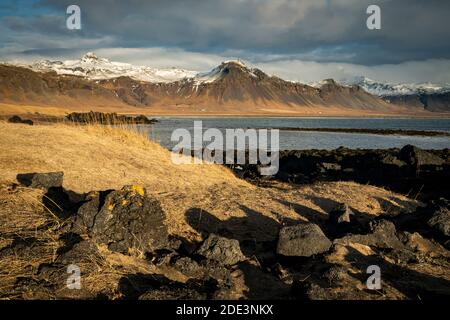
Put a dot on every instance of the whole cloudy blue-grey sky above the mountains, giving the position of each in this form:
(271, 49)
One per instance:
(302, 40)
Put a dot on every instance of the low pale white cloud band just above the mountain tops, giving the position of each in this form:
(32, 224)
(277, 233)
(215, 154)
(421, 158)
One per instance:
(432, 70)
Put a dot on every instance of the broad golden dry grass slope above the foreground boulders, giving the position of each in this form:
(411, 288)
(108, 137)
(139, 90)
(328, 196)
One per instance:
(100, 157)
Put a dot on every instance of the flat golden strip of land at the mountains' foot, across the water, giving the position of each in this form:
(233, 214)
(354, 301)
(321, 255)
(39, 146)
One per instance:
(167, 108)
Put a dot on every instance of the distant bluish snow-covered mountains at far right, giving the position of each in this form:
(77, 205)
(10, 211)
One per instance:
(388, 89)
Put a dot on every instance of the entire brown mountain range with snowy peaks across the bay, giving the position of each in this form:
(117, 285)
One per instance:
(230, 88)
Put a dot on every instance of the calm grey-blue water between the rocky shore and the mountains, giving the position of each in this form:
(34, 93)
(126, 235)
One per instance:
(161, 132)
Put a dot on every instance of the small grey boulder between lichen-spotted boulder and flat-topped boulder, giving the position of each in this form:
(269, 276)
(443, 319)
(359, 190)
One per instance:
(224, 250)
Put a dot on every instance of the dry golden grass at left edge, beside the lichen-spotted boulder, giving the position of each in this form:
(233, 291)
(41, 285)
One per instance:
(22, 217)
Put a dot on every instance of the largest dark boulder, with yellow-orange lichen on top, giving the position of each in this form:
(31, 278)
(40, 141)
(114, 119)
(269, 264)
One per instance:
(128, 221)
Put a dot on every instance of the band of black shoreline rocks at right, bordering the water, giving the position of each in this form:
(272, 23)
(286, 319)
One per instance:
(424, 173)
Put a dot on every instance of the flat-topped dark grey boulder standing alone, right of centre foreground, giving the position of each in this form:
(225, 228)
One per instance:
(303, 240)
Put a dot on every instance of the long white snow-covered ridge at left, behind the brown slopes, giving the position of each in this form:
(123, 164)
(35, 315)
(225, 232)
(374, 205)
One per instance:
(94, 68)
